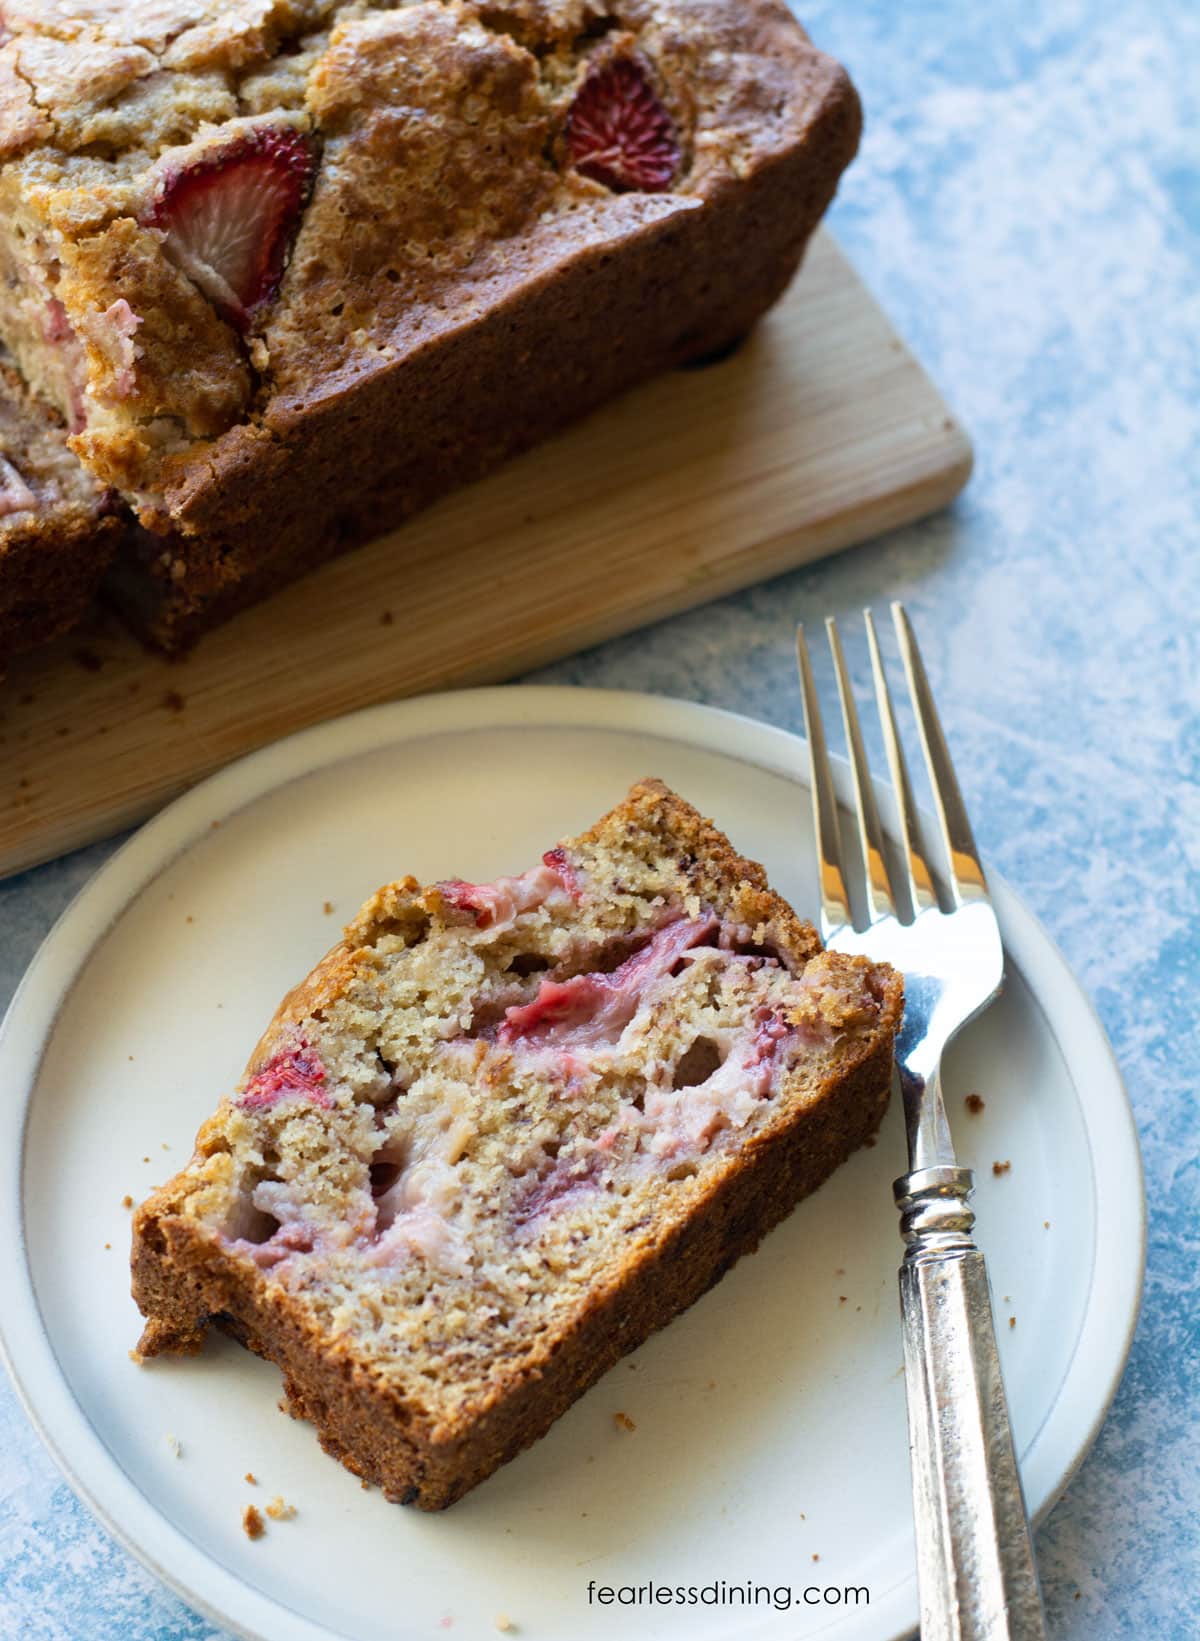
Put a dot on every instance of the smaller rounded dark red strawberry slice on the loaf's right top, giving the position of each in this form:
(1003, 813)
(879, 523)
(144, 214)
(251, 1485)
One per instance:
(620, 134)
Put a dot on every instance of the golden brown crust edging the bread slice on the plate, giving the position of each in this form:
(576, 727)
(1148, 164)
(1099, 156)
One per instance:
(183, 1278)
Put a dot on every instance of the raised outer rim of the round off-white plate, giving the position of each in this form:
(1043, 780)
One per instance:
(94, 1473)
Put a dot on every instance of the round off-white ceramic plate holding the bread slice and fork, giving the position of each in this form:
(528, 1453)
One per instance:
(769, 1442)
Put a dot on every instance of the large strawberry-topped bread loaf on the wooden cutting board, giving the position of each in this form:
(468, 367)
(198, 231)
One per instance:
(291, 270)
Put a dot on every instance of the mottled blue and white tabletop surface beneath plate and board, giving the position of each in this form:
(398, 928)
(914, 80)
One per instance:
(1028, 209)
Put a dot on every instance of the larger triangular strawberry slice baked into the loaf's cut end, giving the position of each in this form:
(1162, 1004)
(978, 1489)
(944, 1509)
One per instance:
(231, 217)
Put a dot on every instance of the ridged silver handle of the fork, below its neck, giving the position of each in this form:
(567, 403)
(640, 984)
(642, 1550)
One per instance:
(974, 1552)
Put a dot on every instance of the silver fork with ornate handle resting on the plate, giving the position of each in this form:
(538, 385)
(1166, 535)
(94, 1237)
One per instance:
(976, 1563)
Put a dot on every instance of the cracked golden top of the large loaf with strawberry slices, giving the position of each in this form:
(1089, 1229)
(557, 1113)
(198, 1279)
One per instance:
(219, 219)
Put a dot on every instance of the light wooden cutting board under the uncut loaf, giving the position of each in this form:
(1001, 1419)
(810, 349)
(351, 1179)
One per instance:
(820, 432)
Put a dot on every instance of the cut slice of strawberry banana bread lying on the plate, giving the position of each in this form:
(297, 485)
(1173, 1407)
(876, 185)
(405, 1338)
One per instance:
(505, 1131)
